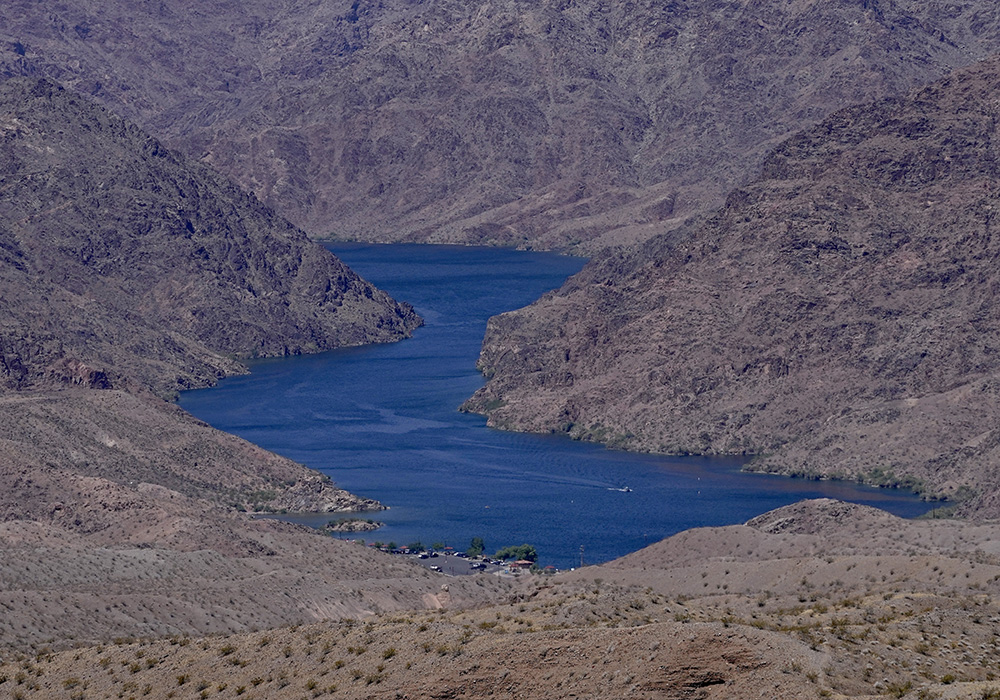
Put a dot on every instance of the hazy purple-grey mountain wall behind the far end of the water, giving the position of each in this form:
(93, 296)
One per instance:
(531, 124)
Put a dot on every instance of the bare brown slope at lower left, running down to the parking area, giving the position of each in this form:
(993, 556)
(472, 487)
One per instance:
(155, 563)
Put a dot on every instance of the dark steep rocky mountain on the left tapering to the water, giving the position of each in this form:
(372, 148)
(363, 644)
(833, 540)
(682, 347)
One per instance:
(122, 259)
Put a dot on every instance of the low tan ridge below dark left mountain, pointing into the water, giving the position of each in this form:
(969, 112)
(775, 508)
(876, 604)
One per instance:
(115, 466)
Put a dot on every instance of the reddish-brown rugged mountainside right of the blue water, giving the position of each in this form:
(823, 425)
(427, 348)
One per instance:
(838, 316)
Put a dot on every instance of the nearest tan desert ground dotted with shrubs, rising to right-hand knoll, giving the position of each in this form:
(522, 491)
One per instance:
(820, 599)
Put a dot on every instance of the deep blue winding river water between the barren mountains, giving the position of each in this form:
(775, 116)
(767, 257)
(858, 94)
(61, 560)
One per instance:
(382, 422)
